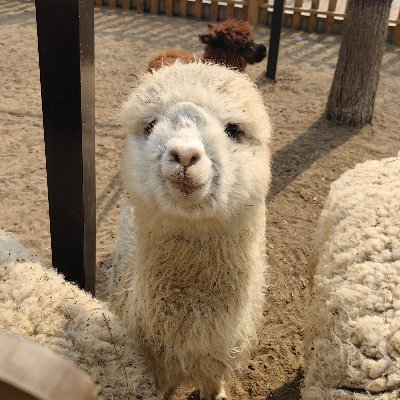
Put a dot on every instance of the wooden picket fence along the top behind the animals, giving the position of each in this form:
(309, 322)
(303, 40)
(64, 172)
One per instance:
(308, 15)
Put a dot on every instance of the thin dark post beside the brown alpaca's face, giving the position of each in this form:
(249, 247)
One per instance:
(275, 37)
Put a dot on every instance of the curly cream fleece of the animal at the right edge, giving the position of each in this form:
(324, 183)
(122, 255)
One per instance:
(353, 323)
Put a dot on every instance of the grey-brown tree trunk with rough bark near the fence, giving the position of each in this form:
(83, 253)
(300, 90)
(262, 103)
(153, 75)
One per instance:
(352, 96)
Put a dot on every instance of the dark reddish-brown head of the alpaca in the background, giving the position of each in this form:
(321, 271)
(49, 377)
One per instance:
(231, 43)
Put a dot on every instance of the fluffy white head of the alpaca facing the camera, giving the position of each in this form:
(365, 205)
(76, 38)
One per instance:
(197, 143)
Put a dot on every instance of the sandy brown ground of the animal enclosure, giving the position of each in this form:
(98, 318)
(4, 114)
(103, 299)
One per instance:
(308, 154)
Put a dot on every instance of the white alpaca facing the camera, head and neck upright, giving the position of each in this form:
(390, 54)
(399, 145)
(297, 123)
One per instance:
(191, 257)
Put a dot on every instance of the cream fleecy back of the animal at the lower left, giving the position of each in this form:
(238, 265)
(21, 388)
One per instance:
(38, 304)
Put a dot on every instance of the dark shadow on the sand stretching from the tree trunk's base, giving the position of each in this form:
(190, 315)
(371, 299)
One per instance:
(297, 156)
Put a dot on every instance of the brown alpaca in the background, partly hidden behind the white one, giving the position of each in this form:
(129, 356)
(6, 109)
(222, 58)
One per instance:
(228, 43)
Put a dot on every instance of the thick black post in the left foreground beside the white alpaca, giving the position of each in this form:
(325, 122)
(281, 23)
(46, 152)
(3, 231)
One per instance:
(66, 56)
